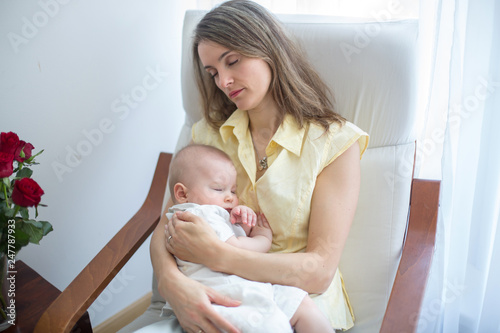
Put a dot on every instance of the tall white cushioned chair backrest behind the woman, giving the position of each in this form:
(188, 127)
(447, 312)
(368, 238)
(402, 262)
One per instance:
(370, 67)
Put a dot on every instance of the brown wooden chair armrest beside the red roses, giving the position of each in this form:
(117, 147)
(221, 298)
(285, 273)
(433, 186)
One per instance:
(65, 311)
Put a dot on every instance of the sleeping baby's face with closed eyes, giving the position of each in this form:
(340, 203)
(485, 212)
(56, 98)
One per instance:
(215, 184)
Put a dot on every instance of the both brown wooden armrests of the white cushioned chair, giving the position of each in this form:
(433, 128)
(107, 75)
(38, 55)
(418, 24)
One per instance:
(404, 303)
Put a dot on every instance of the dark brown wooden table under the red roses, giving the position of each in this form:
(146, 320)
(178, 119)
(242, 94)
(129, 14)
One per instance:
(33, 296)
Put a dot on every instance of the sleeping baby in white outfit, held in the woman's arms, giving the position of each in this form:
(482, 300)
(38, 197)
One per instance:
(203, 181)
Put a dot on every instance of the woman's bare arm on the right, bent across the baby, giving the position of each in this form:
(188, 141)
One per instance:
(332, 210)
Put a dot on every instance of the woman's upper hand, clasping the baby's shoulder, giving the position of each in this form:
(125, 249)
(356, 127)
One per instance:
(190, 238)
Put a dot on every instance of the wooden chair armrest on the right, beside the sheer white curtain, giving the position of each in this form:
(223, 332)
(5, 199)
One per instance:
(409, 285)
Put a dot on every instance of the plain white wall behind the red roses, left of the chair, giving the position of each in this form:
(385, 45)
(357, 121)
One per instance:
(102, 79)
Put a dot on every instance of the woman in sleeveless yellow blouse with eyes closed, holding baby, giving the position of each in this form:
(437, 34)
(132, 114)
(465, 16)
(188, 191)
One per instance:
(297, 162)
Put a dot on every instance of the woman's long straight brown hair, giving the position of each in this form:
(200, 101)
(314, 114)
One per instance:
(249, 29)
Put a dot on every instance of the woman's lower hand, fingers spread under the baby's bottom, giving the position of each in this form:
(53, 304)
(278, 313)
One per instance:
(192, 304)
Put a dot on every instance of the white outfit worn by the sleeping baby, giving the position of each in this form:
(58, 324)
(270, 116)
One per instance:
(265, 307)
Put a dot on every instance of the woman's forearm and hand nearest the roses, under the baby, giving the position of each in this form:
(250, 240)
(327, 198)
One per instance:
(190, 300)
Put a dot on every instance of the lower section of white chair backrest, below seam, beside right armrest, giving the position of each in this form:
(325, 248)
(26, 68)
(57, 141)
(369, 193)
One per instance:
(373, 250)
